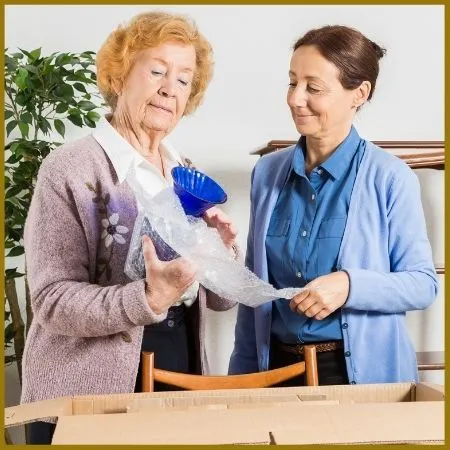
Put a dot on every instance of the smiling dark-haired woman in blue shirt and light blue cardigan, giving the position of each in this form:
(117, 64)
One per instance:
(342, 219)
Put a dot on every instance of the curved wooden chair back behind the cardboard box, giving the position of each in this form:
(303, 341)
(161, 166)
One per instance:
(252, 380)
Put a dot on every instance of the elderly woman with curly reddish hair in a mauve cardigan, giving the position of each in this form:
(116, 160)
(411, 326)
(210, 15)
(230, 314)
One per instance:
(91, 322)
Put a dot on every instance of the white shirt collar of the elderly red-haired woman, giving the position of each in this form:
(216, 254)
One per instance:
(122, 154)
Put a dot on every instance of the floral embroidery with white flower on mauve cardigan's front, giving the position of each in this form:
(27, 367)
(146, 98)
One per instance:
(112, 232)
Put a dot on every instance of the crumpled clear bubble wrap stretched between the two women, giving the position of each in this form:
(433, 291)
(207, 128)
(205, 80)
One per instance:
(175, 234)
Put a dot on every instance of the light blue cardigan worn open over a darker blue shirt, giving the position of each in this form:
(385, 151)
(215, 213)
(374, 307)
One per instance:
(385, 251)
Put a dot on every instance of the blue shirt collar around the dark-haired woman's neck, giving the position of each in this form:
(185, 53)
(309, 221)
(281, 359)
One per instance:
(337, 163)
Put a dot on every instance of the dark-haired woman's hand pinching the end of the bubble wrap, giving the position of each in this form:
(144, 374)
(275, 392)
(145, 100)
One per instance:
(322, 296)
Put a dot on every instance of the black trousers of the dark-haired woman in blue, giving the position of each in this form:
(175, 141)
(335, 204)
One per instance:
(331, 366)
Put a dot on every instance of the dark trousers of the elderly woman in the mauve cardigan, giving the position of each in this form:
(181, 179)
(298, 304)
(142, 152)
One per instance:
(174, 344)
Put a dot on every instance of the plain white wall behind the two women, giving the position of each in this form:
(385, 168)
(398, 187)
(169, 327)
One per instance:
(245, 103)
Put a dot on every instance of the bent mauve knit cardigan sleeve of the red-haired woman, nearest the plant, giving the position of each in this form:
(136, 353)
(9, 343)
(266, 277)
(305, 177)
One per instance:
(57, 255)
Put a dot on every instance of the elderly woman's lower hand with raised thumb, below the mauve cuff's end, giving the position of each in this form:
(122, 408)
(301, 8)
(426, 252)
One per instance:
(166, 281)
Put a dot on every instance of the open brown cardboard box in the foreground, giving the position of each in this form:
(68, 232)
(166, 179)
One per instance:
(354, 414)
